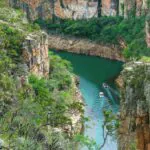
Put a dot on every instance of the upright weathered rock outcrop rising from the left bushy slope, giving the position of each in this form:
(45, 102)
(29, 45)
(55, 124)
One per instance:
(35, 54)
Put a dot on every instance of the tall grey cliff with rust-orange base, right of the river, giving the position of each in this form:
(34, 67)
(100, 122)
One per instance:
(134, 131)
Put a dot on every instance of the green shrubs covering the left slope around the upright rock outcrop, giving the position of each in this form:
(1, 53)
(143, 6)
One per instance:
(31, 107)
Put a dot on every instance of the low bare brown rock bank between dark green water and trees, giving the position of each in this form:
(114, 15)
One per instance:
(84, 46)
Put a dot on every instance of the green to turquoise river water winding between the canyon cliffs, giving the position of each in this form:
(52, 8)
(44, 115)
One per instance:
(93, 72)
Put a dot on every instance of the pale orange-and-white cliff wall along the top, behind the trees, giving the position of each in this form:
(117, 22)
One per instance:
(78, 9)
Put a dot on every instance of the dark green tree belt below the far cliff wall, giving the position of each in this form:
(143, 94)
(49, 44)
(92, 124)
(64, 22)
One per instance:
(129, 33)
